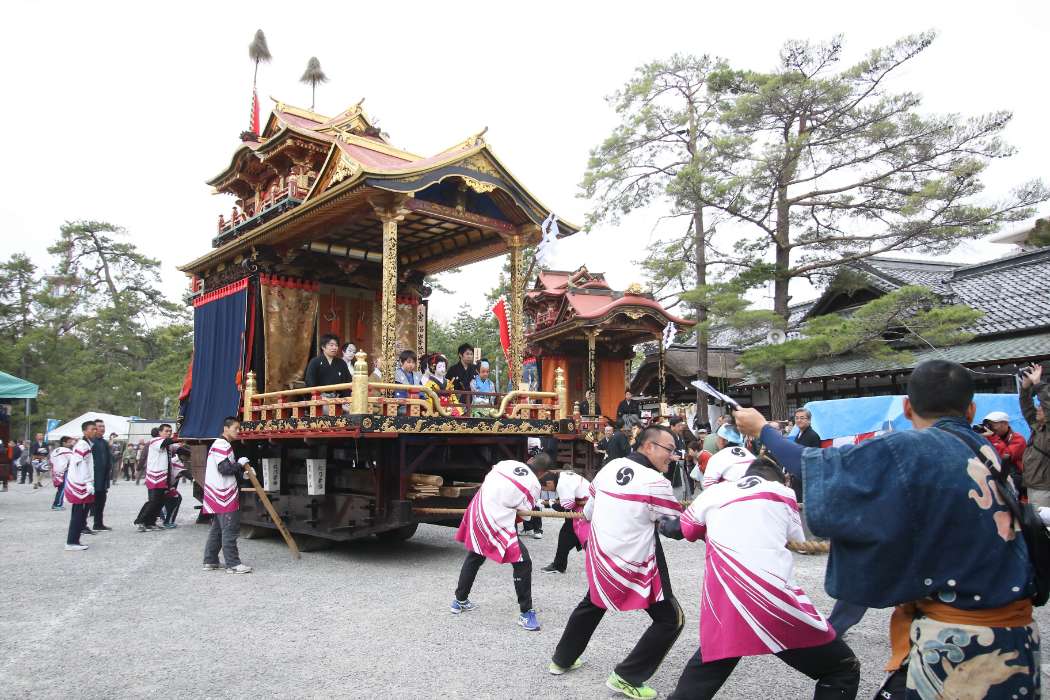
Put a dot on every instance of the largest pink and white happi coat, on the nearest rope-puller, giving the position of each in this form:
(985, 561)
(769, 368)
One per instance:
(750, 604)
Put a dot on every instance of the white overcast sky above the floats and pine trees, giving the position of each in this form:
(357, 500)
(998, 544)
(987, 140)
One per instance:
(121, 112)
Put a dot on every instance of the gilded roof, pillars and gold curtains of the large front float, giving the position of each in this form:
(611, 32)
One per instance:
(337, 229)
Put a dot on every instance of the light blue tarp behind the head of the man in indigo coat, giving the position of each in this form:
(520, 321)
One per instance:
(841, 418)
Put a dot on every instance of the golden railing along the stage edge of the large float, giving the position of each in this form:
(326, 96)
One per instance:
(366, 397)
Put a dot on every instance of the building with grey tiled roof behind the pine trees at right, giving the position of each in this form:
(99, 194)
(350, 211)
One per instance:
(1013, 292)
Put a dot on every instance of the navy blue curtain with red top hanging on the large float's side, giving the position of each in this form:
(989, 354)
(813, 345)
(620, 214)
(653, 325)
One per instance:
(219, 349)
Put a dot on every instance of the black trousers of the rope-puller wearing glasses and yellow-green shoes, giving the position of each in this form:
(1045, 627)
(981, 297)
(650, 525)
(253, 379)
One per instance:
(650, 650)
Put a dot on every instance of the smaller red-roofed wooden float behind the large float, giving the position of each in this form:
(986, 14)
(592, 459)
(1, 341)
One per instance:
(577, 323)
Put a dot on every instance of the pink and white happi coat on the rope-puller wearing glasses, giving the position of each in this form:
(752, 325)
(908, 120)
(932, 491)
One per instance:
(627, 500)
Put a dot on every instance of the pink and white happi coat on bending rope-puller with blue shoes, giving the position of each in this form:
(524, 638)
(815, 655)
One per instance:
(489, 525)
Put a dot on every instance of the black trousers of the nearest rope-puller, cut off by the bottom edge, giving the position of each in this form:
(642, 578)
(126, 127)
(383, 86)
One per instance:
(833, 666)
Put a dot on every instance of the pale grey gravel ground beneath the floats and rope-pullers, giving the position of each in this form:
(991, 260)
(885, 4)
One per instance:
(135, 617)
